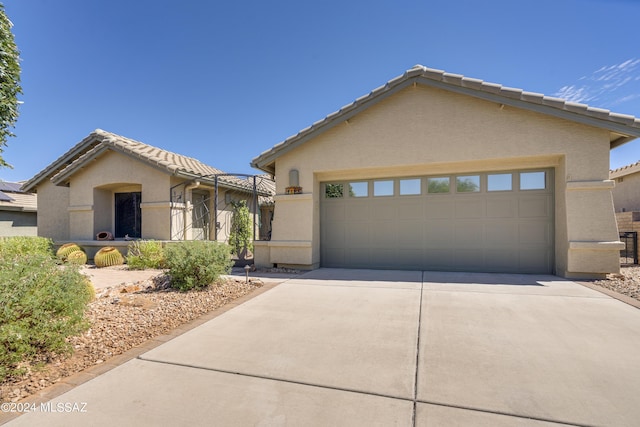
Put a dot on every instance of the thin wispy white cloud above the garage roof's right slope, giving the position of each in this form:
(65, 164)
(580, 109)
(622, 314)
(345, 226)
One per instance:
(608, 86)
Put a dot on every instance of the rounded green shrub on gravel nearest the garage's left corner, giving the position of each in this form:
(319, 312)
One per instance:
(197, 263)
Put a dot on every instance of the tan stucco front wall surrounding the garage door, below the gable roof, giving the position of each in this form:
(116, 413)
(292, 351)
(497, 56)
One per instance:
(423, 131)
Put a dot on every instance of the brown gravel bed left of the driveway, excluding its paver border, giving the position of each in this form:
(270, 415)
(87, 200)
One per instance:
(121, 318)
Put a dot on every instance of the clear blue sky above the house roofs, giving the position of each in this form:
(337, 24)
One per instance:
(224, 81)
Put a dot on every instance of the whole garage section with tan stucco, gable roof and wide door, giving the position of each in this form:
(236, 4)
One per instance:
(437, 171)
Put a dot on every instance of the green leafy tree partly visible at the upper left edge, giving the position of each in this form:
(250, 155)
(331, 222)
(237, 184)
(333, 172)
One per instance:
(9, 82)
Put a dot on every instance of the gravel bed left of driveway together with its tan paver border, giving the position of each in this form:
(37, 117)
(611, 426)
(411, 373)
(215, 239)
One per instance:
(179, 312)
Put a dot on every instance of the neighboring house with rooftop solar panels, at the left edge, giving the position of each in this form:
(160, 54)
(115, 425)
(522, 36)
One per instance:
(18, 210)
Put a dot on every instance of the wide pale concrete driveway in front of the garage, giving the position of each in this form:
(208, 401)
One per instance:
(362, 347)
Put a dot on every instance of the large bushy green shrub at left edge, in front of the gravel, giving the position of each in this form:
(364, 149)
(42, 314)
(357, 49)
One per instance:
(41, 305)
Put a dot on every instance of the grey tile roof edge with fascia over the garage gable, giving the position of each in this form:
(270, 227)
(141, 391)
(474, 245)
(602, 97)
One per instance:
(623, 127)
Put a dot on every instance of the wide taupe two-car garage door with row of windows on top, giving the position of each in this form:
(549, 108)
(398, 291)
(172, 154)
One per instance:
(493, 222)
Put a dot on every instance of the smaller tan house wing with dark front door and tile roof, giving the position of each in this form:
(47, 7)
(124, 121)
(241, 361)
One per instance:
(108, 186)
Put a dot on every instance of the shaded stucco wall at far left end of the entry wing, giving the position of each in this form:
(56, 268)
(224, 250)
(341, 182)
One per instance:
(53, 213)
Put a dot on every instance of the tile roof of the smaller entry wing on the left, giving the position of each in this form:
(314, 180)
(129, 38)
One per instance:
(99, 141)
